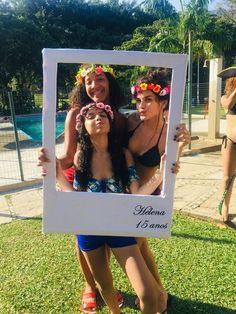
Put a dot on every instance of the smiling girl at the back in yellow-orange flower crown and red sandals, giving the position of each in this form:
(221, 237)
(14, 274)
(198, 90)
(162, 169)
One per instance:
(93, 83)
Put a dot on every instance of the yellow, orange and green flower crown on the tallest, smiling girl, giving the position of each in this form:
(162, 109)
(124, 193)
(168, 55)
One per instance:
(98, 69)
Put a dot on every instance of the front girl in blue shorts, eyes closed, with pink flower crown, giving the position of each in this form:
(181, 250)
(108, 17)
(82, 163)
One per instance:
(101, 165)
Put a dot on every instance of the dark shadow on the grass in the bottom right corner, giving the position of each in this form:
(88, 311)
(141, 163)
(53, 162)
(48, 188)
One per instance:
(194, 307)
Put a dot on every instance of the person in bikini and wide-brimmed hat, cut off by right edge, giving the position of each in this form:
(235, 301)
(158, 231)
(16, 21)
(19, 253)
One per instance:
(228, 150)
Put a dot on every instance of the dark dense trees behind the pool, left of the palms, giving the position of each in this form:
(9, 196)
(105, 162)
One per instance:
(29, 26)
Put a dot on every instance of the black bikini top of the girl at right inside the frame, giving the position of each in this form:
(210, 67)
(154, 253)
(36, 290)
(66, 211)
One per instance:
(152, 157)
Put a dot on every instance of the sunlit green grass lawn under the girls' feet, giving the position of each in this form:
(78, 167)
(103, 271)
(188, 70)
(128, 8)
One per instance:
(39, 273)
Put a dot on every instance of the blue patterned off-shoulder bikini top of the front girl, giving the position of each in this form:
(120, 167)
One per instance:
(106, 186)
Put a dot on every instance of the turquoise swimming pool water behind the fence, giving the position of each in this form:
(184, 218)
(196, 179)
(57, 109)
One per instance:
(31, 125)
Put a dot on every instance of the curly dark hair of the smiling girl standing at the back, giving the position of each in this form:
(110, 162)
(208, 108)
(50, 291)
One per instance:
(79, 97)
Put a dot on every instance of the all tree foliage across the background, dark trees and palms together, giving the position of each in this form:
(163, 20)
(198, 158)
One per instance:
(26, 27)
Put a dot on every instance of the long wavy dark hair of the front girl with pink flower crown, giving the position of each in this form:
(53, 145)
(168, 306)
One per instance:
(119, 165)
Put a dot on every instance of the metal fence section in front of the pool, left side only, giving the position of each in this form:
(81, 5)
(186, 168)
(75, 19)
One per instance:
(21, 136)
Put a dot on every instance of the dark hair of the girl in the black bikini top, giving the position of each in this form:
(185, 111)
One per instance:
(160, 76)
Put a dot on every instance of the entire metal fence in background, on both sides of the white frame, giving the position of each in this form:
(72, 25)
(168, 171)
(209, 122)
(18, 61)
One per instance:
(21, 123)
